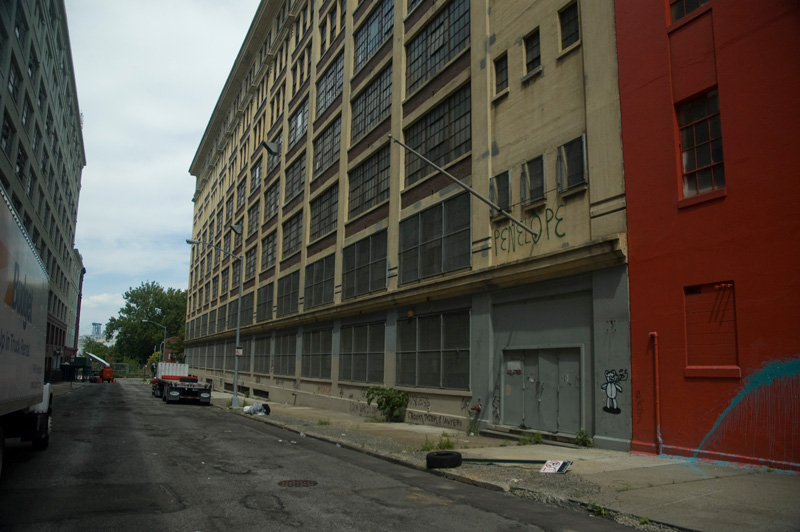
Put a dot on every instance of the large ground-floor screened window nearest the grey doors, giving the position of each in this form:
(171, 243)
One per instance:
(433, 351)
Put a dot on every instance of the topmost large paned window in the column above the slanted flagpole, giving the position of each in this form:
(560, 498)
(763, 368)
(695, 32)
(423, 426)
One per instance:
(440, 40)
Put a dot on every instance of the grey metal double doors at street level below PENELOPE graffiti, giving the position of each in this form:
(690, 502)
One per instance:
(542, 389)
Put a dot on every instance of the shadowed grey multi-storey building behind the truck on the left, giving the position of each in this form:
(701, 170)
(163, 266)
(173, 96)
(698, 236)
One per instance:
(42, 154)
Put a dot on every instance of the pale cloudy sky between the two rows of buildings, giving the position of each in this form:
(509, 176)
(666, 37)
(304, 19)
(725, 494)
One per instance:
(149, 73)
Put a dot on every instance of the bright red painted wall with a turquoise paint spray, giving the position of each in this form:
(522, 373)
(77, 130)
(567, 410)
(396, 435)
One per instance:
(749, 234)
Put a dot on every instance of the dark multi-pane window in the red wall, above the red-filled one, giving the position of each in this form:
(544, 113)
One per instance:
(701, 145)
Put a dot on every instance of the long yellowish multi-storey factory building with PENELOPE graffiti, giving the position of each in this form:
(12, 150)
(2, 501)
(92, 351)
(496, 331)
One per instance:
(357, 263)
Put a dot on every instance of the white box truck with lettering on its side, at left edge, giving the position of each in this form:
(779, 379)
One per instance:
(25, 399)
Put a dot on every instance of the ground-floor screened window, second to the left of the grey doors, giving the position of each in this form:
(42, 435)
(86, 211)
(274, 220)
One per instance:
(361, 353)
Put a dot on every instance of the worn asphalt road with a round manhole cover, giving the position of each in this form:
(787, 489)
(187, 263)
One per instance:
(122, 460)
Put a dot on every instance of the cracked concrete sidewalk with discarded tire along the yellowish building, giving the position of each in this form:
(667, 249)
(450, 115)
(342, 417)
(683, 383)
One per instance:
(677, 492)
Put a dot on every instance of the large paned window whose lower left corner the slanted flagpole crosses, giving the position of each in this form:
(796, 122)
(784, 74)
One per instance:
(443, 135)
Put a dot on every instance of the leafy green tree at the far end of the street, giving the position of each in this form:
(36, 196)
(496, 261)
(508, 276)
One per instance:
(136, 338)
